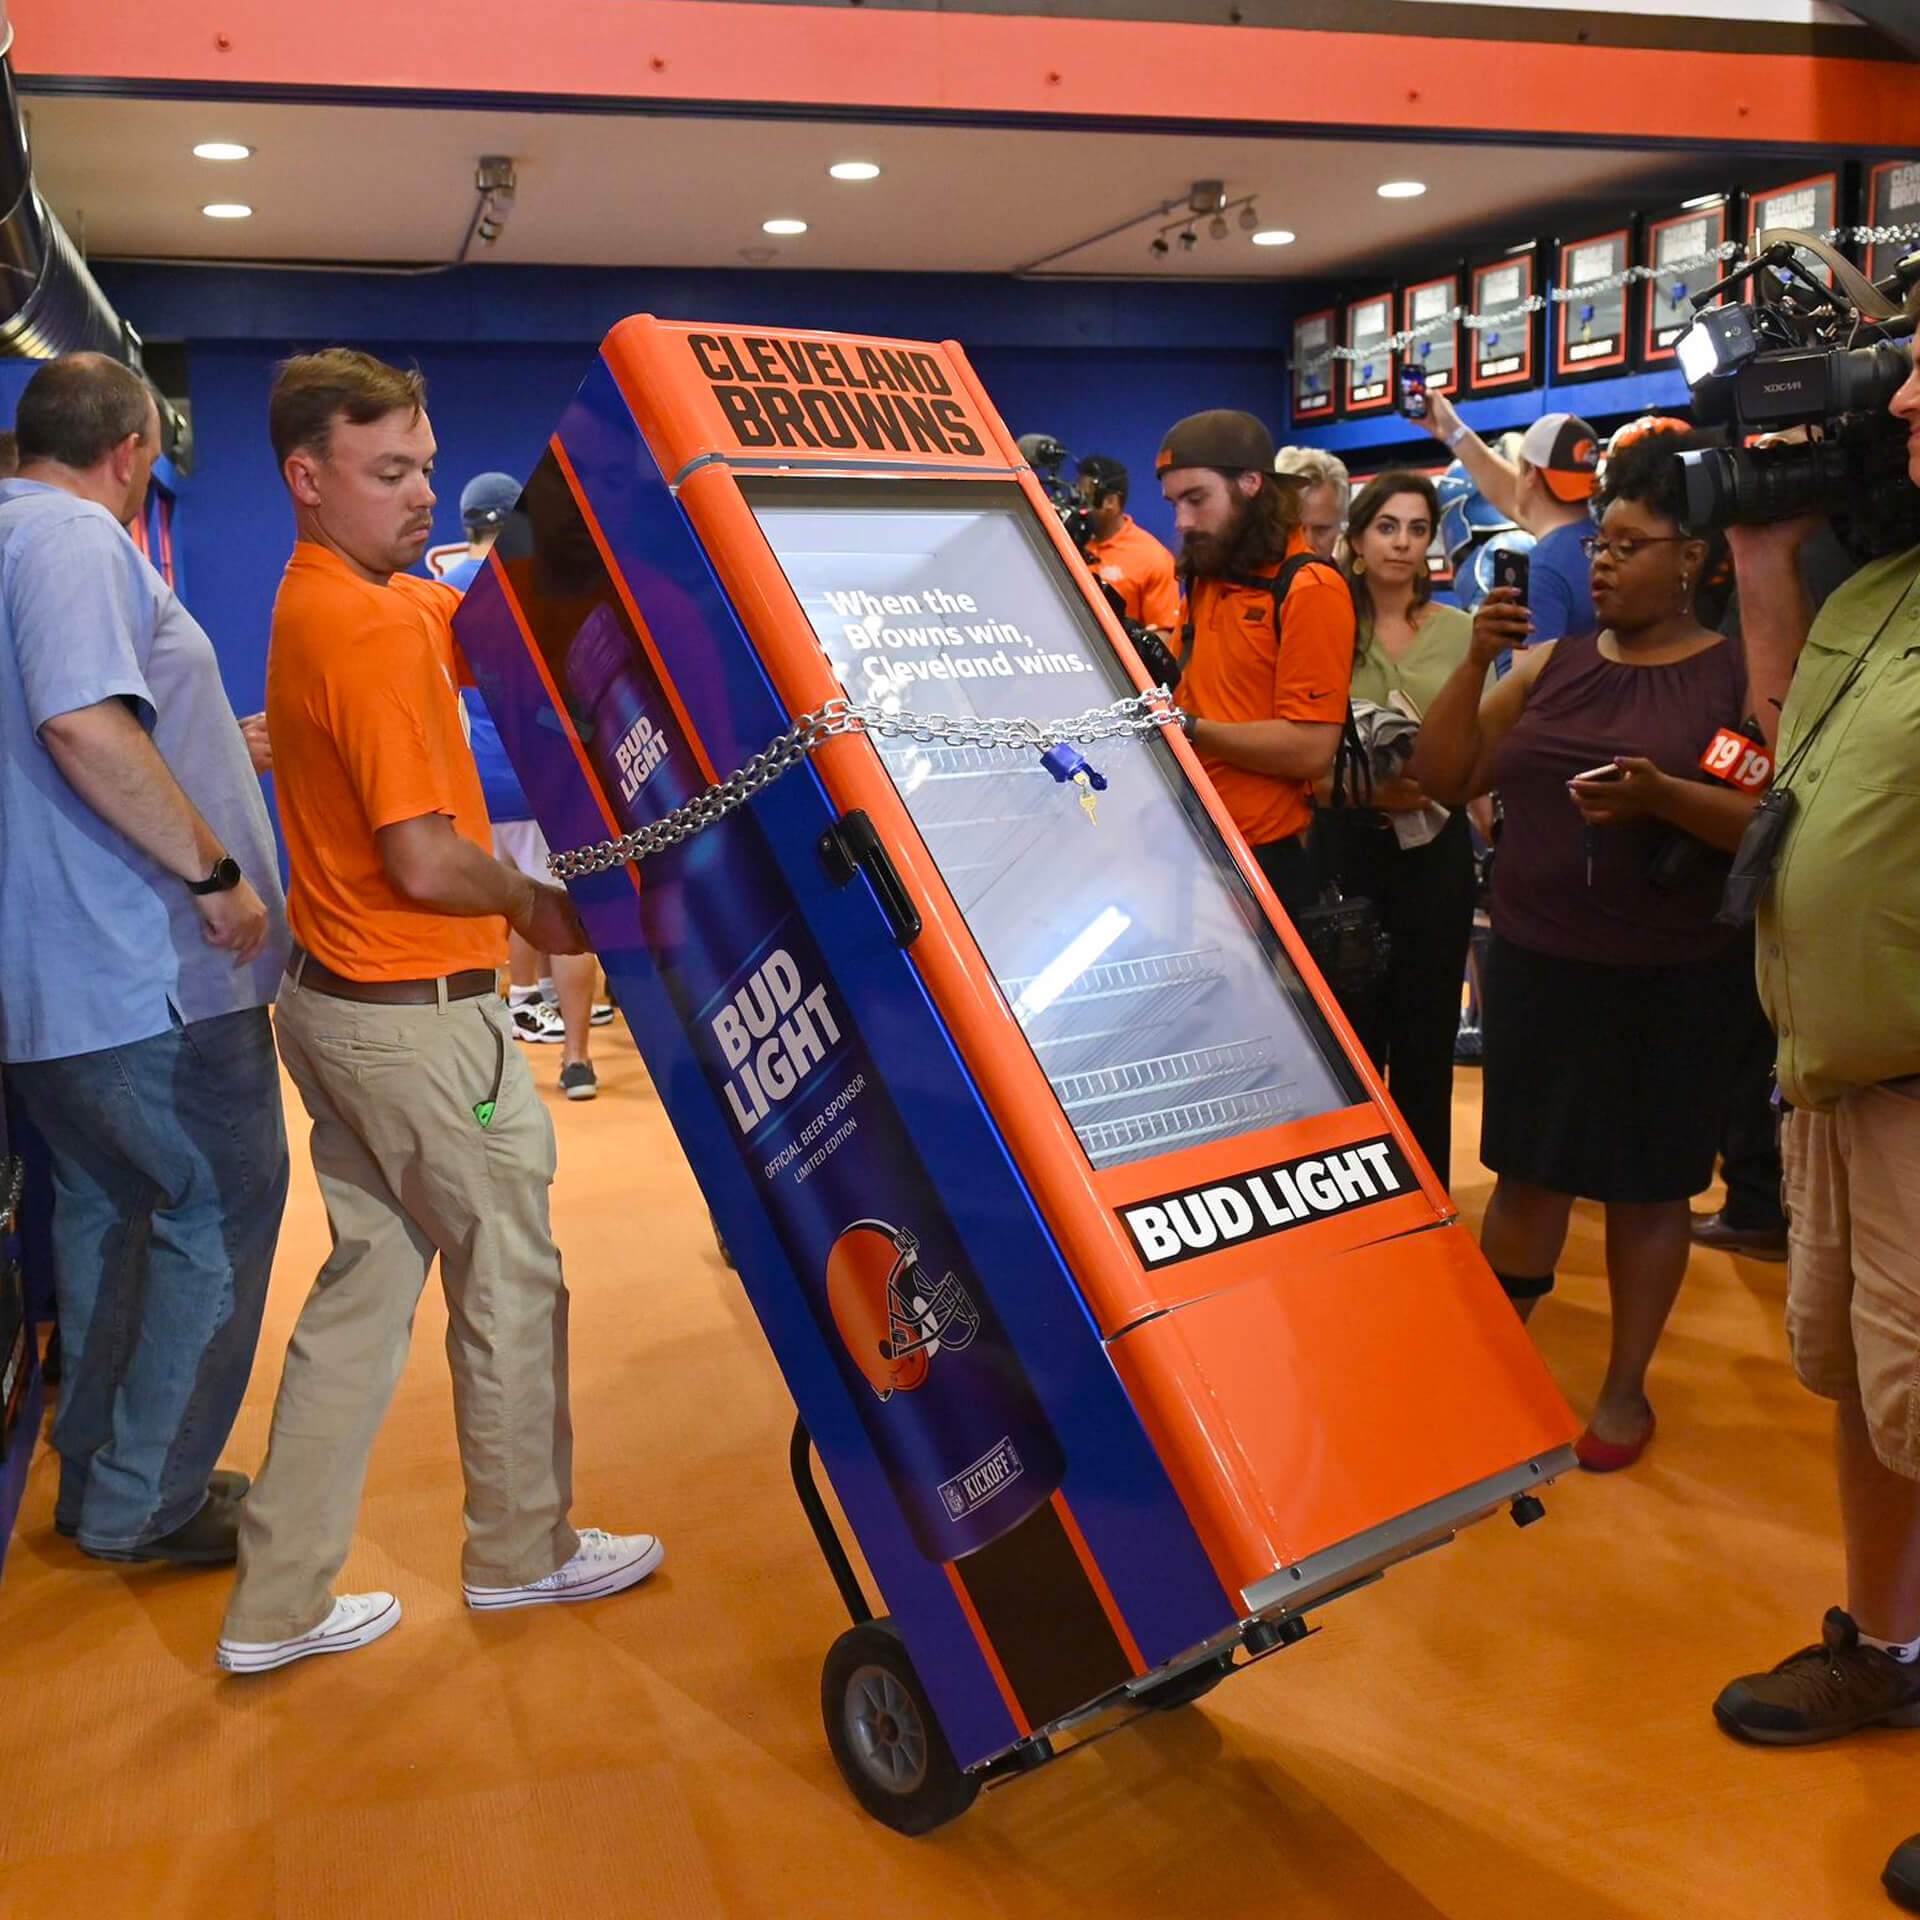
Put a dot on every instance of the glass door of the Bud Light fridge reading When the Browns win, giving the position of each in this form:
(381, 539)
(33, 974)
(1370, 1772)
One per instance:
(1130, 949)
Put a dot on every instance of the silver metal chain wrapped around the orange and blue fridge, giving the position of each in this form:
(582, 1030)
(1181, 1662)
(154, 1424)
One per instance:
(1138, 715)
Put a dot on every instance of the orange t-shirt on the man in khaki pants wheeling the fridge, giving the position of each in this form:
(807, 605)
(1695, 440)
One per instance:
(368, 732)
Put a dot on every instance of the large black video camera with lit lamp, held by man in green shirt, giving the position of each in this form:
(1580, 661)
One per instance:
(1815, 364)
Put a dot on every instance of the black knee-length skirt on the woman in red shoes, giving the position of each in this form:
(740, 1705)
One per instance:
(1610, 1082)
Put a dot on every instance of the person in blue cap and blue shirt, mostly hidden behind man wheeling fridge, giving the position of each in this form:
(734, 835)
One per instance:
(552, 999)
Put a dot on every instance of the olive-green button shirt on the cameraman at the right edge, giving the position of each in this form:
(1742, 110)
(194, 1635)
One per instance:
(1840, 924)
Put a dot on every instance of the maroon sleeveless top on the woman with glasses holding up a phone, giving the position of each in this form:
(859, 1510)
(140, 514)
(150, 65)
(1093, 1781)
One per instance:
(1581, 713)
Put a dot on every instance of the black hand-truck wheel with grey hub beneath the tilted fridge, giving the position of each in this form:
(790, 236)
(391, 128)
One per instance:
(884, 1737)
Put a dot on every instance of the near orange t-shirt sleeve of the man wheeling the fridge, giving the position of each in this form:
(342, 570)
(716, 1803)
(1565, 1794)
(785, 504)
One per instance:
(395, 723)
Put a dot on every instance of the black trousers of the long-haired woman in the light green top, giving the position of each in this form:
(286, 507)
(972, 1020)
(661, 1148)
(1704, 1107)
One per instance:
(1426, 903)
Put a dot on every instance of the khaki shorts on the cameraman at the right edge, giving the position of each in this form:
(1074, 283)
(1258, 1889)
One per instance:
(1854, 1262)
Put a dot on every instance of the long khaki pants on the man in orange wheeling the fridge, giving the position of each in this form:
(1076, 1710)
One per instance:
(408, 1170)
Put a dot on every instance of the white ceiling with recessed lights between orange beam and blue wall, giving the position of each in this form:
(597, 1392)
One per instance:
(377, 183)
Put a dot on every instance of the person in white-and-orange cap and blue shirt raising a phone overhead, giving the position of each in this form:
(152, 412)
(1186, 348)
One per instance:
(1550, 492)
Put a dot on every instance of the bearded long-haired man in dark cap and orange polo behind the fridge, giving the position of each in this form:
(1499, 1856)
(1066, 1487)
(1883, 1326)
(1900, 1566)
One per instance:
(1268, 638)
